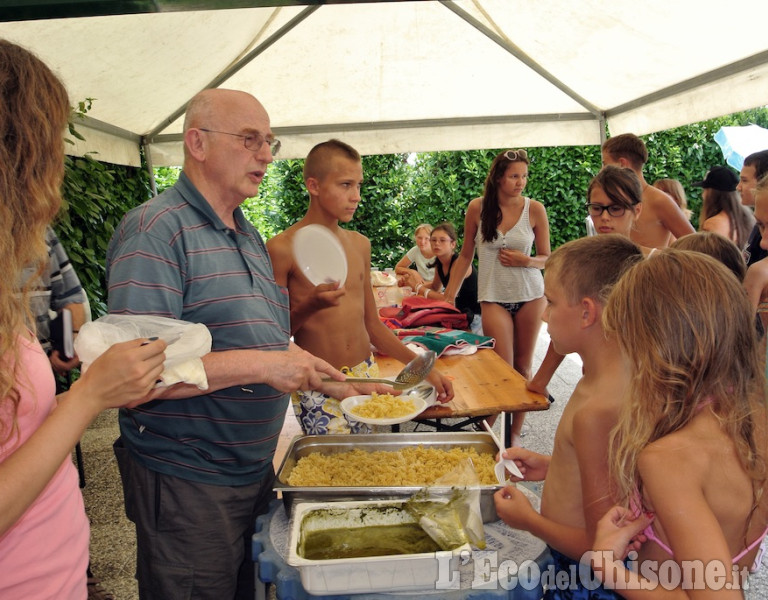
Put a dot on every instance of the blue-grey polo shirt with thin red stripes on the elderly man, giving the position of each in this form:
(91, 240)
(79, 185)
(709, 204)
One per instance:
(173, 257)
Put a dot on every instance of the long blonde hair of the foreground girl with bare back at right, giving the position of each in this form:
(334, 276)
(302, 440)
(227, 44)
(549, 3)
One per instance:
(687, 329)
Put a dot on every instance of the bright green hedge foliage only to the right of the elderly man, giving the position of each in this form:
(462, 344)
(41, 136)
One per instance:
(400, 192)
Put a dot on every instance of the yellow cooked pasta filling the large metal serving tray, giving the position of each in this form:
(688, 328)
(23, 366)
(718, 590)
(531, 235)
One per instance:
(412, 466)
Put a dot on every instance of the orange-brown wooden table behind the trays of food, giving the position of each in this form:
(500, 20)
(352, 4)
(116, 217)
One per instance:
(483, 384)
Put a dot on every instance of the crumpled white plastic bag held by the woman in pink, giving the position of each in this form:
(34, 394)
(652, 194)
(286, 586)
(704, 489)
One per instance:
(187, 344)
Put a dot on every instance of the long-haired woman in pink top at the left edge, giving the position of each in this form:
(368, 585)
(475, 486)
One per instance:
(43, 528)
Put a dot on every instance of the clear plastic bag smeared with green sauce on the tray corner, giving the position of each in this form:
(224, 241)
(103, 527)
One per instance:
(449, 509)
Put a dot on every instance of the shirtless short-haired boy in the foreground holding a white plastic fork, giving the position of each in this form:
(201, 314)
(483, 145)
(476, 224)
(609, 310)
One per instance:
(575, 496)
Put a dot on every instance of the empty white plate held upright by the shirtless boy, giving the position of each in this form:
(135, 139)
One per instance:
(319, 255)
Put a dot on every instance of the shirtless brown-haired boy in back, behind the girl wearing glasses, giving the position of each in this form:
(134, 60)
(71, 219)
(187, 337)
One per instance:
(661, 220)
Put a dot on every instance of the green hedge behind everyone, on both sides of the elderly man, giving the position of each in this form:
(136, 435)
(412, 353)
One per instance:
(398, 193)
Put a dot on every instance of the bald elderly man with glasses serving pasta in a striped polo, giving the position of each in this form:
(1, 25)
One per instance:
(196, 465)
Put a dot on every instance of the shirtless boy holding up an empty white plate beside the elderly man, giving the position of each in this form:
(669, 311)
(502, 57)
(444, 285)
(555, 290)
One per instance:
(336, 322)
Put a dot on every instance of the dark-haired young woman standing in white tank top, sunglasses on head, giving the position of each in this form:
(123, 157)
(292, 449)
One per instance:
(506, 227)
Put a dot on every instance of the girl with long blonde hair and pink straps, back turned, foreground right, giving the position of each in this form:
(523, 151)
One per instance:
(689, 453)
